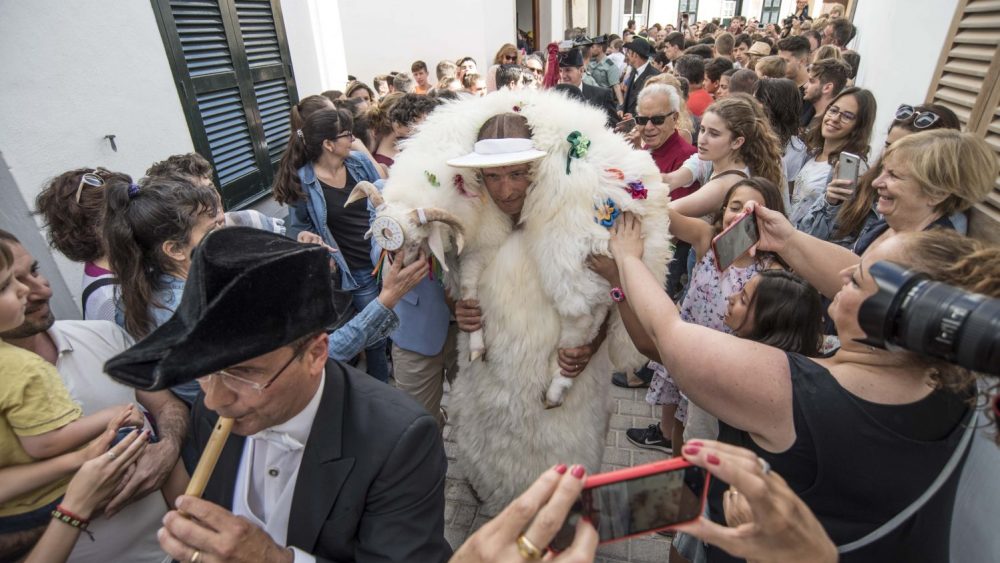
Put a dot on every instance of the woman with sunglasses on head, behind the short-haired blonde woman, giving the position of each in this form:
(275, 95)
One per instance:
(847, 211)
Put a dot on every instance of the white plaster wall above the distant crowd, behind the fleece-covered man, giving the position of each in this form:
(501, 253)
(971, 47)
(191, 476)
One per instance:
(384, 35)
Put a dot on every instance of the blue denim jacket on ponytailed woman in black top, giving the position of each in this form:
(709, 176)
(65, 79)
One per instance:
(309, 214)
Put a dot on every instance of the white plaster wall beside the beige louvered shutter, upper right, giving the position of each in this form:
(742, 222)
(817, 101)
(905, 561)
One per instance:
(898, 61)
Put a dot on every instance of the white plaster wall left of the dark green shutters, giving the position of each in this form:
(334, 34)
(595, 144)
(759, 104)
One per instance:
(73, 73)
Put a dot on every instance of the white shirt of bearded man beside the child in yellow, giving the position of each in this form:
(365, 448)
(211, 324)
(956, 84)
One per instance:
(83, 348)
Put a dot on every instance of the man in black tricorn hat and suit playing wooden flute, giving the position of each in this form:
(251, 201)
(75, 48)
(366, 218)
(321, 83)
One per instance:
(324, 462)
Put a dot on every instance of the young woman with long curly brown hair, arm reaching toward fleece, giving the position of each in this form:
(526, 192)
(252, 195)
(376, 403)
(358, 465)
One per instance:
(735, 142)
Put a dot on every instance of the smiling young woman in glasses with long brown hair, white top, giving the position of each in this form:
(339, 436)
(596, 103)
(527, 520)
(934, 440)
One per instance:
(846, 126)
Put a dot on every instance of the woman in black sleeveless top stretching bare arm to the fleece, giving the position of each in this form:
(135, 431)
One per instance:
(860, 435)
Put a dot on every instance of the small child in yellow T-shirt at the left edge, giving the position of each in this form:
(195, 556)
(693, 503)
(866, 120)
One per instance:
(39, 419)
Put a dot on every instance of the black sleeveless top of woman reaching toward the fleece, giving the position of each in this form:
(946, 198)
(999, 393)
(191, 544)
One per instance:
(858, 464)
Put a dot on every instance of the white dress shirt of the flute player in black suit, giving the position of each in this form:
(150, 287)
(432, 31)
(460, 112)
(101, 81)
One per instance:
(268, 472)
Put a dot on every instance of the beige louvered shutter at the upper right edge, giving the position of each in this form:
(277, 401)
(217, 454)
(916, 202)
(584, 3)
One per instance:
(968, 82)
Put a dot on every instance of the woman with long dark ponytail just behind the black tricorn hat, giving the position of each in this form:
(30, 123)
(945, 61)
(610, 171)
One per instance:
(151, 230)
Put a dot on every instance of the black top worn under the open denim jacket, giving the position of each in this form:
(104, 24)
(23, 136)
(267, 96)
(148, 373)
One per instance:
(348, 225)
